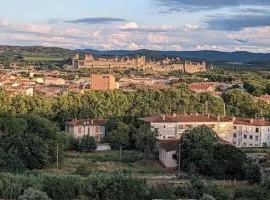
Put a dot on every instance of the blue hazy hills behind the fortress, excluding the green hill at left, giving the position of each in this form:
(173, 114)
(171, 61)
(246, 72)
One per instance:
(215, 56)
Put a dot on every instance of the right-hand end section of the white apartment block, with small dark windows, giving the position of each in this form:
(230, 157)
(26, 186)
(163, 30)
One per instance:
(251, 132)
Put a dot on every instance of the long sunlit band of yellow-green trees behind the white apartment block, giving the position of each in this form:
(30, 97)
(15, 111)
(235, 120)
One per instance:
(100, 104)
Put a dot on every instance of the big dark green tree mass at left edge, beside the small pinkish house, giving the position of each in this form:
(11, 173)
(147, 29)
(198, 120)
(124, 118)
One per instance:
(27, 142)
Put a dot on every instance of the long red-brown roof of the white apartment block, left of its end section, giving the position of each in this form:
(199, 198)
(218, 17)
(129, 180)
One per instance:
(184, 118)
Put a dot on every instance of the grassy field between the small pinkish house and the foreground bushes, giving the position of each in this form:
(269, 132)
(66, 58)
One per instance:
(131, 161)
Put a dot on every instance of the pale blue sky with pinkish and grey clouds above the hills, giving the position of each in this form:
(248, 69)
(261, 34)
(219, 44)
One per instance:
(171, 25)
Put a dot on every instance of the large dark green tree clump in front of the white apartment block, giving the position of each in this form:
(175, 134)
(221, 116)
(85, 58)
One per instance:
(202, 152)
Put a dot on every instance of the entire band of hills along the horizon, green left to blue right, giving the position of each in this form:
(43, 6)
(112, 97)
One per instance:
(213, 56)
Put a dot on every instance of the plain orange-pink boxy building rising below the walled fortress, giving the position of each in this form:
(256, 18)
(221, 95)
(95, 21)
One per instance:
(103, 82)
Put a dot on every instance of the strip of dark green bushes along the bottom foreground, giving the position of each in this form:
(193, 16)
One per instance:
(119, 187)
